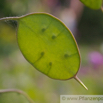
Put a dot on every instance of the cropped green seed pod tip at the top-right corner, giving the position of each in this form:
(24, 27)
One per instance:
(93, 4)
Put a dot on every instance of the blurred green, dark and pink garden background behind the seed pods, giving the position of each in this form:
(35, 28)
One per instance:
(15, 72)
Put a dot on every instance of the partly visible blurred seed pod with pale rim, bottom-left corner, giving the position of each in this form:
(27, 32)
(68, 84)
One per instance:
(14, 96)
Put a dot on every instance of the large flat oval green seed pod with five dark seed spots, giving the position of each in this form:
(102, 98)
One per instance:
(48, 45)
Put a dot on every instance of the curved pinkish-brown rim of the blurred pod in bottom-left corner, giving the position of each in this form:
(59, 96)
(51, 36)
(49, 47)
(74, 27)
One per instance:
(17, 91)
